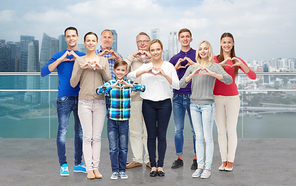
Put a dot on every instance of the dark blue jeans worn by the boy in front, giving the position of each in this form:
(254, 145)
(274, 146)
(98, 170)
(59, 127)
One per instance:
(118, 144)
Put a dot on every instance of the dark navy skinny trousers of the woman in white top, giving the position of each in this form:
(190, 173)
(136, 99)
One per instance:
(157, 116)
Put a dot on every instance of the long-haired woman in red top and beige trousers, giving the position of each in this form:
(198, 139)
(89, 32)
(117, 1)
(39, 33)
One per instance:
(227, 100)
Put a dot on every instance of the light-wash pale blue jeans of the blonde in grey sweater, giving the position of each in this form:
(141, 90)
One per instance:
(203, 116)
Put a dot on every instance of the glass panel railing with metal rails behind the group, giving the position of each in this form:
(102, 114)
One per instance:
(28, 106)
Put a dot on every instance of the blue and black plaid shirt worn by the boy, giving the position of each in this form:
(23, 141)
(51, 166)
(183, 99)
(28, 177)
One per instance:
(120, 99)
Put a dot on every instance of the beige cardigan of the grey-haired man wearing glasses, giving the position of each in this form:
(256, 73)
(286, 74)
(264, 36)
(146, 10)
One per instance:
(134, 64)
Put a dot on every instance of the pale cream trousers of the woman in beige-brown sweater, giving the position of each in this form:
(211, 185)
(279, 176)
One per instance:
(92, 114)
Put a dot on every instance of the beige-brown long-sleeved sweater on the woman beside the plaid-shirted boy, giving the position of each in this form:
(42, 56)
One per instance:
(90, 79)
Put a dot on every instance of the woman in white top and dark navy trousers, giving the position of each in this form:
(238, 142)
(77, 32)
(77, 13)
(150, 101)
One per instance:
(159, 77)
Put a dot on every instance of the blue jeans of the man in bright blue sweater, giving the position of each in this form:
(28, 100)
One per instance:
(65, 105)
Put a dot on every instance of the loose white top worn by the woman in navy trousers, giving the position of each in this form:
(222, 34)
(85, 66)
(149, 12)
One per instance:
(157, 86)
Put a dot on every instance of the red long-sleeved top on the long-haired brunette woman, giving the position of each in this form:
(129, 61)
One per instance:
(221, 89)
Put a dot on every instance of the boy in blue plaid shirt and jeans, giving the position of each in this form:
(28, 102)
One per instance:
(118, 115)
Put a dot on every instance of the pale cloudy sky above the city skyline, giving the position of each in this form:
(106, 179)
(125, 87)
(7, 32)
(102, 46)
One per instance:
(262, 29)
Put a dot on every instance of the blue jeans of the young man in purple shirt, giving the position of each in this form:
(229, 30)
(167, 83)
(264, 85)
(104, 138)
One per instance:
(181, 104)
